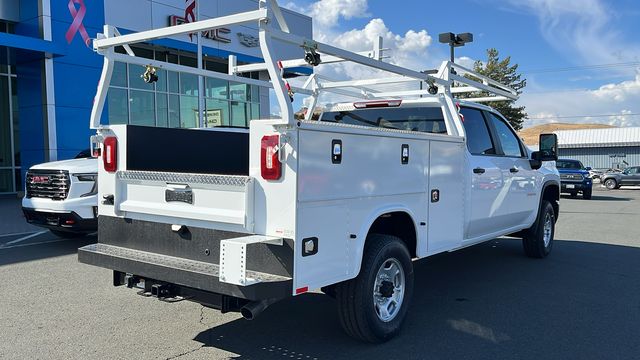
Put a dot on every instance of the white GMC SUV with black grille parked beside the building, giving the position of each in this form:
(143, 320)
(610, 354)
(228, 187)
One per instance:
(62, 196)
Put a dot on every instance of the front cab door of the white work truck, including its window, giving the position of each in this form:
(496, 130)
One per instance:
(520, 180)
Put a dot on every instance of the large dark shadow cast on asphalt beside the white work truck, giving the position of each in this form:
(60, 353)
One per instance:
(485, 302)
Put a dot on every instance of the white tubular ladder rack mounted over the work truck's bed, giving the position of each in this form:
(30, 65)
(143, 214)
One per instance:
(273, 27)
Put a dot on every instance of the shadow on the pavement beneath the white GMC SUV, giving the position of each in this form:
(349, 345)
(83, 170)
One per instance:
(47, 246)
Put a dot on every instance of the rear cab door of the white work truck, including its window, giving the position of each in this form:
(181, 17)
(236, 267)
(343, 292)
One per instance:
(487, 185)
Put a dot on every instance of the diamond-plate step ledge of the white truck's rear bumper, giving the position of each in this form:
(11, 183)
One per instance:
(183, 272)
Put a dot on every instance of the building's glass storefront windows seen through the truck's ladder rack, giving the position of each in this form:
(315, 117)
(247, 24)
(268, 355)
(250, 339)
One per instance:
(173, 100)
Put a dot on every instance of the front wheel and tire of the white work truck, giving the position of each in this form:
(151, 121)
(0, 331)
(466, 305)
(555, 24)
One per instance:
(538, 240)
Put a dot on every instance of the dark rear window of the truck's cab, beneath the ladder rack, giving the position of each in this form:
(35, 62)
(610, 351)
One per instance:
(423, 119)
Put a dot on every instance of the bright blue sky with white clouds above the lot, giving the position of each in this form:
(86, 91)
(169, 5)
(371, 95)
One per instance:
(581, 57)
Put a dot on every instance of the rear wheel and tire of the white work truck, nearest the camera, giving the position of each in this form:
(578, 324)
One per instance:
(373, 306)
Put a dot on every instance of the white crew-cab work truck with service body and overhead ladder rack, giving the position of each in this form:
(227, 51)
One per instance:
(343, 203)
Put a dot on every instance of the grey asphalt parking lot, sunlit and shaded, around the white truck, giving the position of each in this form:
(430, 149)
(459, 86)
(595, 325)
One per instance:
(484, 302)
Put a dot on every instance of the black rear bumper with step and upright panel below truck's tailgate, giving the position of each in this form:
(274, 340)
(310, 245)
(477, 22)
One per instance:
(152, 251)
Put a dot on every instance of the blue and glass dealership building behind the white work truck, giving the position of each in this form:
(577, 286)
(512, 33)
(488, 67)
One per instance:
(49, 74)
